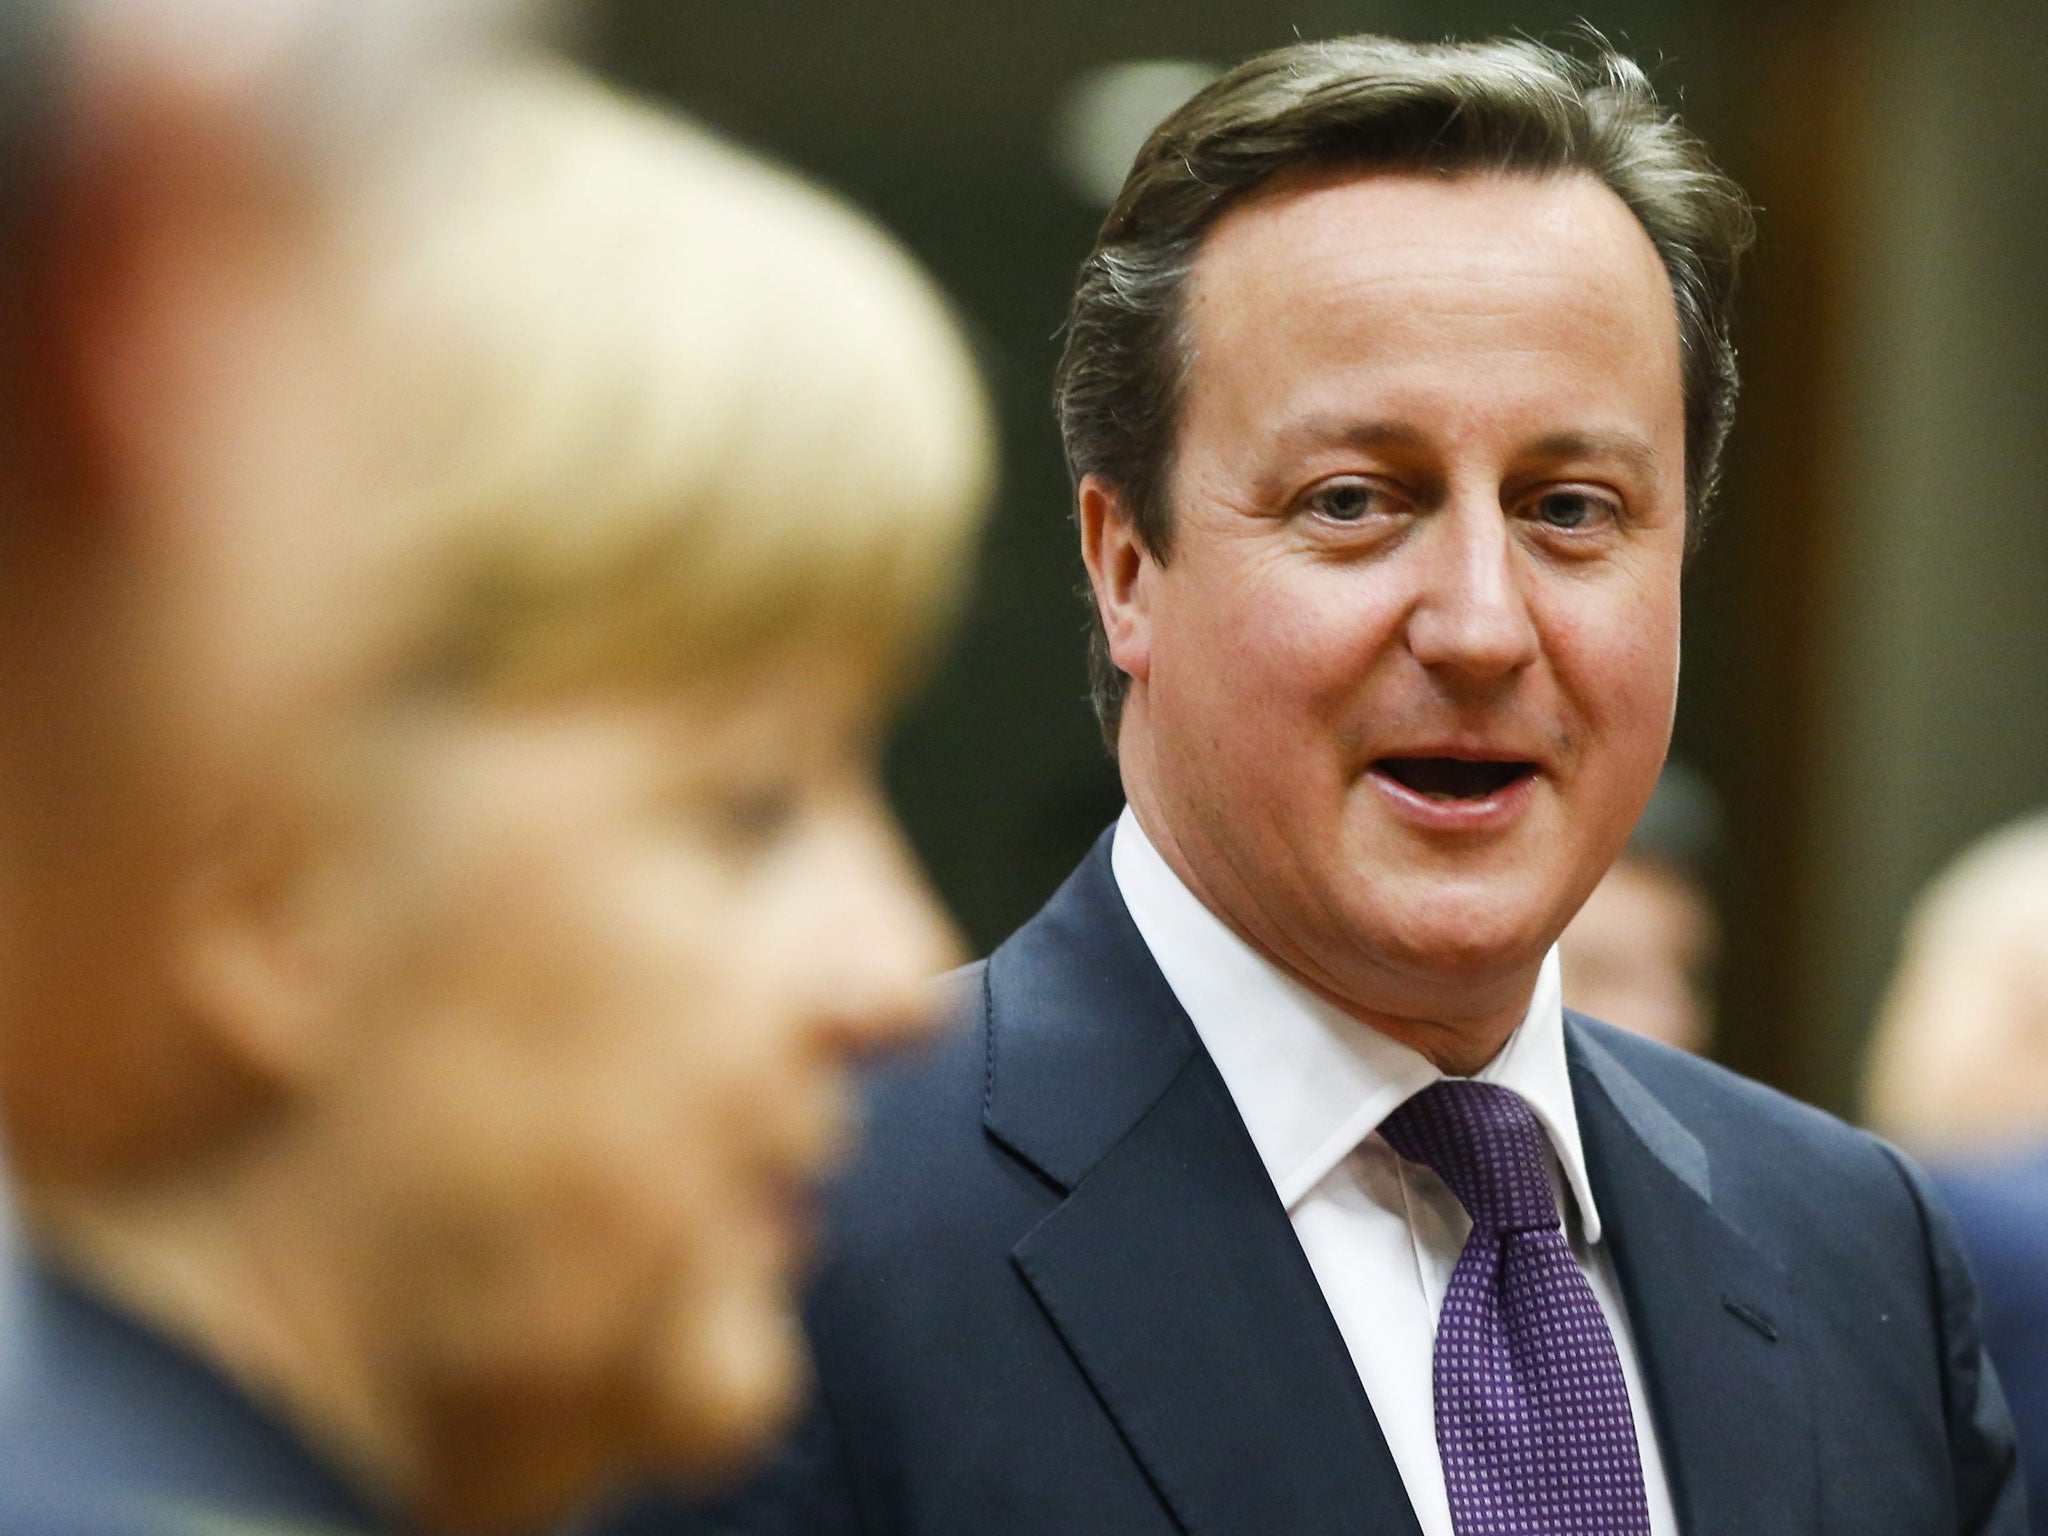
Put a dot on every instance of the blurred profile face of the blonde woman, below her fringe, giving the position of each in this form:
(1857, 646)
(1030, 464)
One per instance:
(638, 951)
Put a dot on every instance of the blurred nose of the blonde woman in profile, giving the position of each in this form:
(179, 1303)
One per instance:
(892, 939)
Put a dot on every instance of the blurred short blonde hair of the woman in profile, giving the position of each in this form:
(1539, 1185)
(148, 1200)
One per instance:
(679, 411)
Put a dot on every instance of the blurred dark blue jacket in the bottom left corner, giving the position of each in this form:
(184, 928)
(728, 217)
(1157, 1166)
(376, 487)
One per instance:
(112, 1431)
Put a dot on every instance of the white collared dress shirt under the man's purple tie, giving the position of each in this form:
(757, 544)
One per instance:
(1381, 1234)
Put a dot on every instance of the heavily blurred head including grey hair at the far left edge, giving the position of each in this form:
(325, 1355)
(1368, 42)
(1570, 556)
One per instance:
(181, 458)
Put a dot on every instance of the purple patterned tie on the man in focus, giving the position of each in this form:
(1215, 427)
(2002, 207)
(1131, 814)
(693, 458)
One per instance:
(1531, 1402)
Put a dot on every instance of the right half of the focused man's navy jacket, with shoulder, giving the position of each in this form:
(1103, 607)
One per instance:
(1836, 1254)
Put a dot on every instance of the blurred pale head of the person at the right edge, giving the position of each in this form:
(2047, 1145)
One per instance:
(1961, 1058)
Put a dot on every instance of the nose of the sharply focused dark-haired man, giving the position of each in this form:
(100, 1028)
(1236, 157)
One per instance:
(1471, 615)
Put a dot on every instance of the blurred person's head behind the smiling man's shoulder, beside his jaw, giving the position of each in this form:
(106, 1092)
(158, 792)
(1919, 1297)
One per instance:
(1641, 951)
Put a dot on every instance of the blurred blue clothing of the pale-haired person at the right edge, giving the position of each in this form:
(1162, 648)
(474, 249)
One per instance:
(2002, 1211)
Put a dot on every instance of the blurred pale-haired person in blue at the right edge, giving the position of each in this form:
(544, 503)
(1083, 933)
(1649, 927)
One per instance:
(1959, 1072)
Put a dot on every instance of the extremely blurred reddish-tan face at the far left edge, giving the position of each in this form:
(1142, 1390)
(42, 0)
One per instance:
(179, 574)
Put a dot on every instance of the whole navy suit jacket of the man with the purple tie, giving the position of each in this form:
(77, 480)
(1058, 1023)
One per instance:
(1062, 1297)
